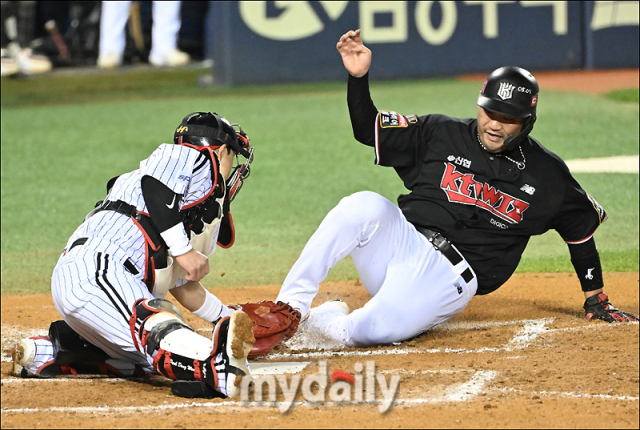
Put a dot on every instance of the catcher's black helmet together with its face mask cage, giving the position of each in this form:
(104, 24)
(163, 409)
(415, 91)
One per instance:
(202, 130)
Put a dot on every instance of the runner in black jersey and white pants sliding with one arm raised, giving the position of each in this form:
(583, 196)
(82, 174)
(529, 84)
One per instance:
(479, 189)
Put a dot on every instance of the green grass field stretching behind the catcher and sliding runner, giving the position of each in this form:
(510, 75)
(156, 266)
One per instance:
(64, 137)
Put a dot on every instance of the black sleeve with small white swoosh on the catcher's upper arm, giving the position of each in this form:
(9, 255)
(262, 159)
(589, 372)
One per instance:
(162, 203)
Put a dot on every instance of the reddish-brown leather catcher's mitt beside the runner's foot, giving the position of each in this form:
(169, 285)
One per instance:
(272, 322)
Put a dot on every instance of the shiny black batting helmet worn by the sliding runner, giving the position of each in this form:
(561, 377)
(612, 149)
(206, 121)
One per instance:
(511, 91)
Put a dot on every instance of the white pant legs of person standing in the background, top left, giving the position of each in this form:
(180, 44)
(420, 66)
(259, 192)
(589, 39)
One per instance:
(164, 32)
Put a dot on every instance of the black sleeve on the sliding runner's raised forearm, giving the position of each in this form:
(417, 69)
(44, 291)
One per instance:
(362, 111)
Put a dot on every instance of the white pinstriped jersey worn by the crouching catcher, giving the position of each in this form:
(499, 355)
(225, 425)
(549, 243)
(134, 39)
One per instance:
(184, 170)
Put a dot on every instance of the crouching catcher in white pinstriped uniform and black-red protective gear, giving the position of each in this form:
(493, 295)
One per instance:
(153, 233)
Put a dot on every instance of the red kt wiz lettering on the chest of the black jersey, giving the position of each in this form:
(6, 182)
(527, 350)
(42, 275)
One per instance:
(463, 188)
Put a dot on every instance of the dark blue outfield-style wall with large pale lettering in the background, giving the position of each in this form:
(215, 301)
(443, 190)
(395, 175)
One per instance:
(256, 42)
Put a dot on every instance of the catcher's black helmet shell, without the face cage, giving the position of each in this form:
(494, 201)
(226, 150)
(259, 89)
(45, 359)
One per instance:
(211, 130)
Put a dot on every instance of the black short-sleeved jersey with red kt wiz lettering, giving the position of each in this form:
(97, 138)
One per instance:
(482, 202)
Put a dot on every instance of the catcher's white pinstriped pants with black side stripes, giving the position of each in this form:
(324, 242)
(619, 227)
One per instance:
(94, 293)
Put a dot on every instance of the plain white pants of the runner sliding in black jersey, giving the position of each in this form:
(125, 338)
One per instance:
(413, 286)
